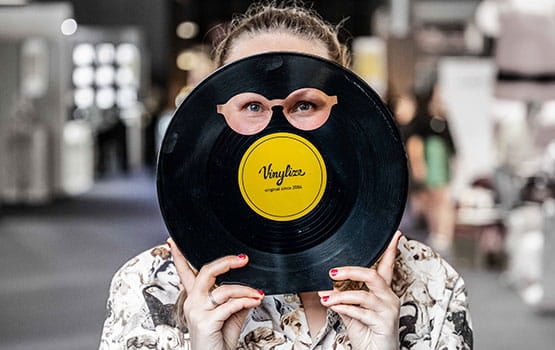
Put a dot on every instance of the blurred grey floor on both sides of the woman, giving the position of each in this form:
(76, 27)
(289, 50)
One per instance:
(57, 261)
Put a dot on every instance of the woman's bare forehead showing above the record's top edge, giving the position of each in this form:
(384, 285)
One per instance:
(249, 44)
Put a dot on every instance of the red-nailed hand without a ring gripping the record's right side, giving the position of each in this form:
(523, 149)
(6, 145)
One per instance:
(371, 317)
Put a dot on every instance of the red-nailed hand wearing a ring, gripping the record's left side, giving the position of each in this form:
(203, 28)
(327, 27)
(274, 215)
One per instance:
(214, 316)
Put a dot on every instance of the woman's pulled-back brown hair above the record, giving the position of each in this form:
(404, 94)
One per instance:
(290, 17)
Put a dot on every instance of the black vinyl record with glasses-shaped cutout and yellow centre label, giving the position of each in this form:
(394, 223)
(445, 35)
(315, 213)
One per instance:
(288, 158)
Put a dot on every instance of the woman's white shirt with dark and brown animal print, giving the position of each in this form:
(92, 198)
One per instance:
(433, 314)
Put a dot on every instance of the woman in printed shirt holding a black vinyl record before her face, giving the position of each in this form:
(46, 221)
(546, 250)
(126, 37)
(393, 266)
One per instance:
(411, 299)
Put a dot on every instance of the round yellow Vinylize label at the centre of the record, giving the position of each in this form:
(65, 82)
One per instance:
(282, 176)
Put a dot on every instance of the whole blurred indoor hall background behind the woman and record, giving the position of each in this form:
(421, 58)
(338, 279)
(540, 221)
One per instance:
(87, 89)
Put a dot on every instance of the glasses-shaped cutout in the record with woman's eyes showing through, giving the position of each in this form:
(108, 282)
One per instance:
(306, 109)
